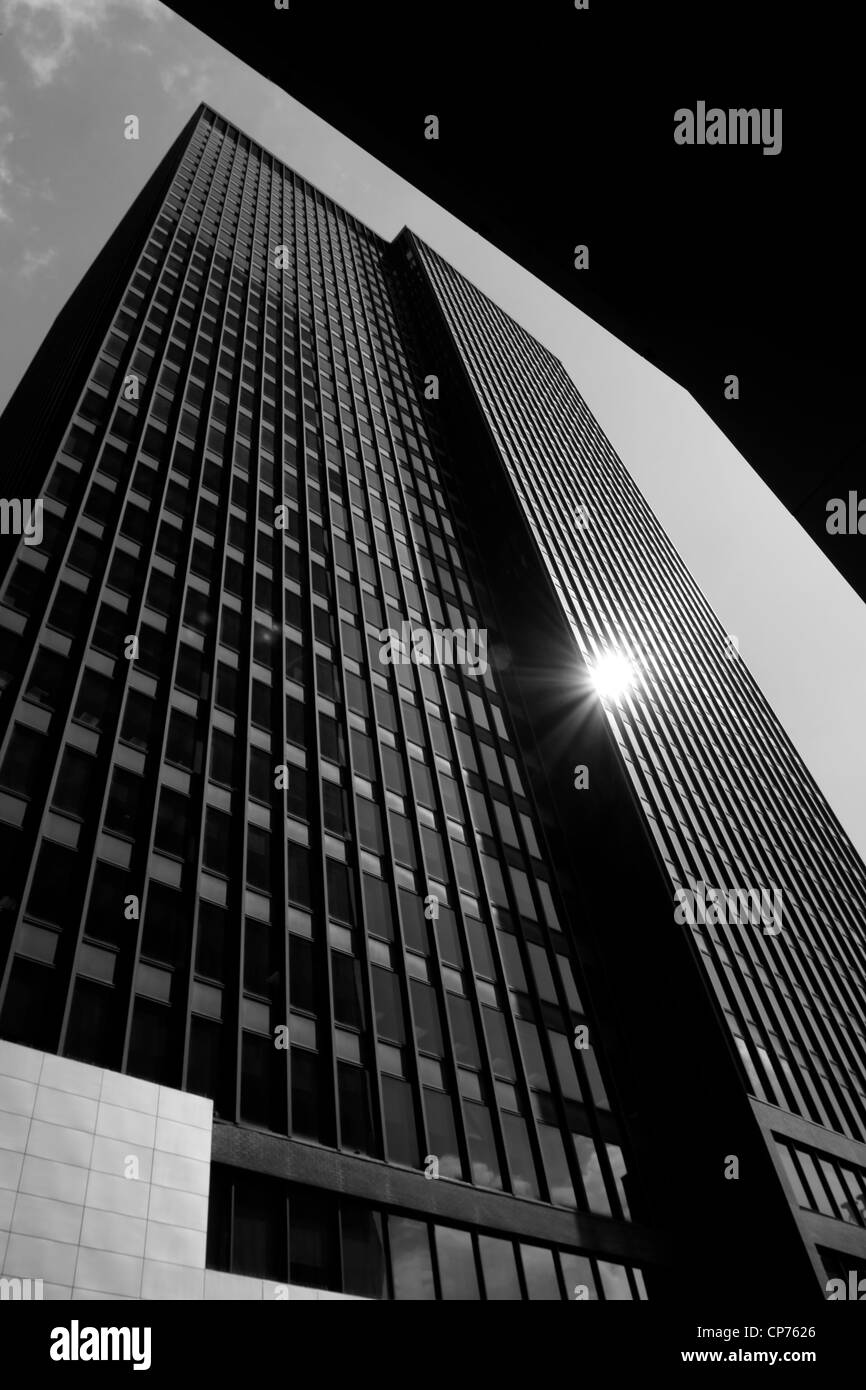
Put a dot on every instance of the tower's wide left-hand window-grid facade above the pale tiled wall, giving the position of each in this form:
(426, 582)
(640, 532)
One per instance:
(248, 854)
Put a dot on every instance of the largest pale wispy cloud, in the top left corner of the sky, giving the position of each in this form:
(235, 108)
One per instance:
(48, 31)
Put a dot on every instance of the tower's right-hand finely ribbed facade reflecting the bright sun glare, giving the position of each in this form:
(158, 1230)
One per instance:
(722, 790)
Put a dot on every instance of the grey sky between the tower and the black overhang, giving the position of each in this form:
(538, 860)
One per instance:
(73, 70)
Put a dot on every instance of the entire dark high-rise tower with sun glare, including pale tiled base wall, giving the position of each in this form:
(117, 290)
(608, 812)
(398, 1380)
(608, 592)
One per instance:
(345, 932)
